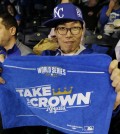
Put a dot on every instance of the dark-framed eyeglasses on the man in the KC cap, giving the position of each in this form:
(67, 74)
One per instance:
(64, 30)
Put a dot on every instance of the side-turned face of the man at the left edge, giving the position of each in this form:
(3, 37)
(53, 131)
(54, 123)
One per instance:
(4, 34)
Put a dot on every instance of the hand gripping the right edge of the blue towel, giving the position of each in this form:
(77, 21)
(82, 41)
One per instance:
(115, 77)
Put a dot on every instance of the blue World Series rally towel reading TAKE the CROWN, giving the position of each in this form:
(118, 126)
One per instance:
(71, 94)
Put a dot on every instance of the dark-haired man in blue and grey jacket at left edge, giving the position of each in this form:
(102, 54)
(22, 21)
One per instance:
(9, 44)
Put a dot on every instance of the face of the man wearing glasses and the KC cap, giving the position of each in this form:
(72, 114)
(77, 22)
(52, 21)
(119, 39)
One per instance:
(69, 43)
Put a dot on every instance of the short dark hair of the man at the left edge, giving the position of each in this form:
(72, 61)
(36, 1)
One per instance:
(9, 21)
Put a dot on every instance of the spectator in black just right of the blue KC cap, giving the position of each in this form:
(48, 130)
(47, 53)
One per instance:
(90, 11)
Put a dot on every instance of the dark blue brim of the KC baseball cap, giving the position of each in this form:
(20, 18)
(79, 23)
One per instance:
(54, 22)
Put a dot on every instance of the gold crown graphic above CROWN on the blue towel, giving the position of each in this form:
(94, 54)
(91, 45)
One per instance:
(63, 92)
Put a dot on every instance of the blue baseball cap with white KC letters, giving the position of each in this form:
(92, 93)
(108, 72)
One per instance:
(64, 12)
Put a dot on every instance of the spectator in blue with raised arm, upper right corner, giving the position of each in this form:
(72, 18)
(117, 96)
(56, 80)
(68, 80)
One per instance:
(108, 15)
